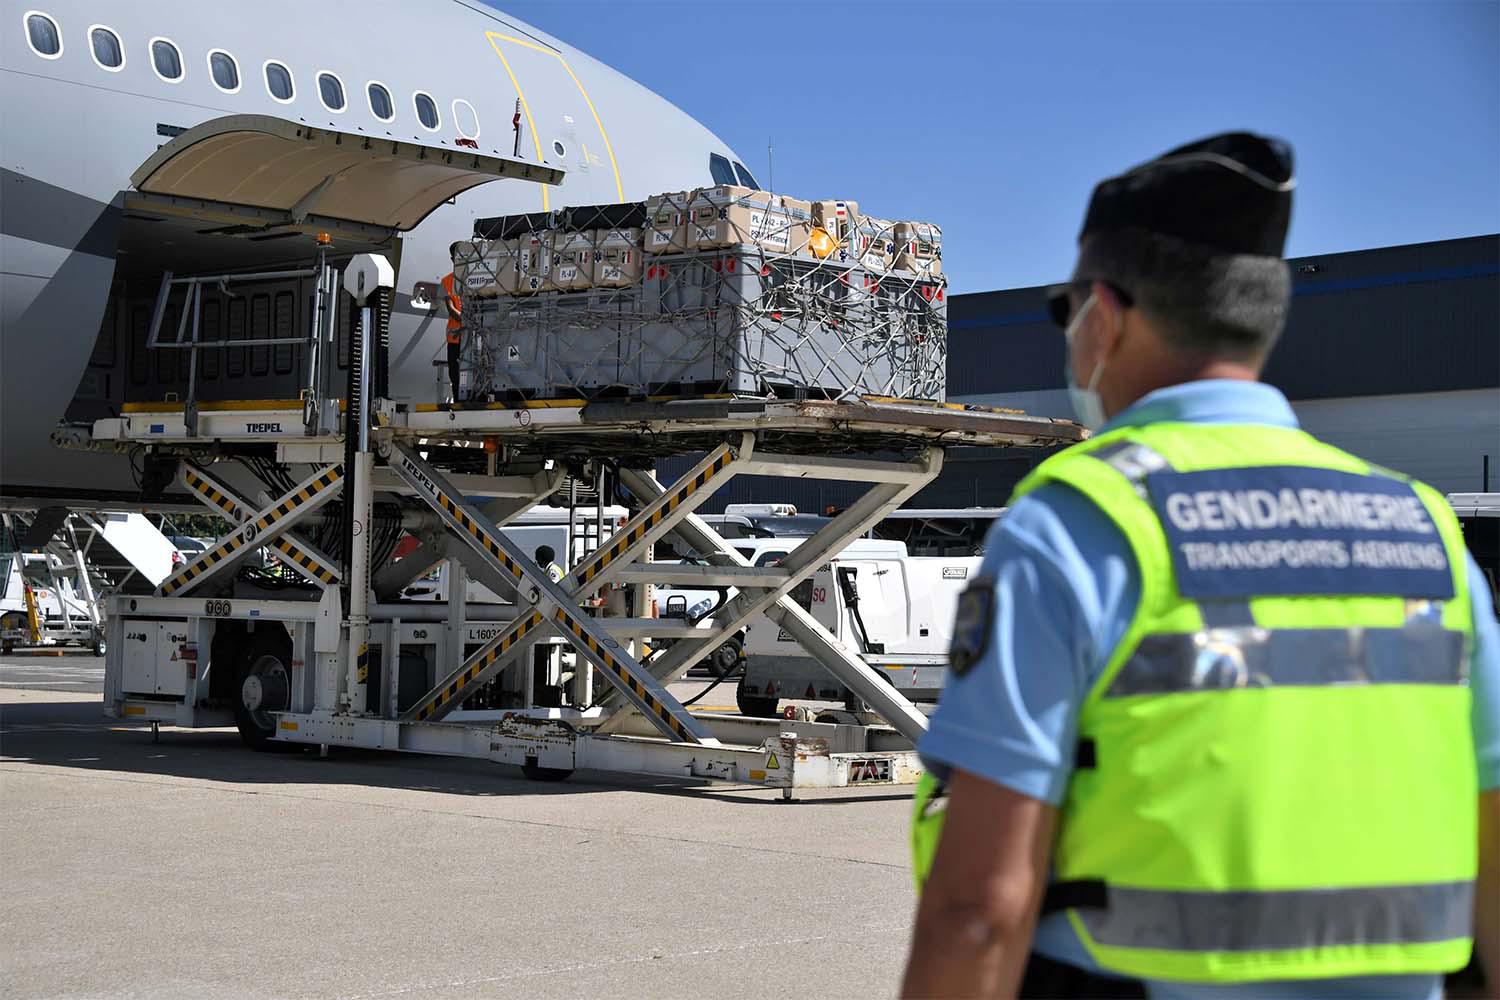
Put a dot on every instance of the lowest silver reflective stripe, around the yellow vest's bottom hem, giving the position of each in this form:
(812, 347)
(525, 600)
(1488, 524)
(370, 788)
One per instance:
(1277, 921)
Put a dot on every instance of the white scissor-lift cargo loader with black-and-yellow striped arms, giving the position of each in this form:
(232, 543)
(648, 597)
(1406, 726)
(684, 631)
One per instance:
(340, 681)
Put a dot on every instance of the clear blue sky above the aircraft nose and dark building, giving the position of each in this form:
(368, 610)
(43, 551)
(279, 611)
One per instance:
(997, 119)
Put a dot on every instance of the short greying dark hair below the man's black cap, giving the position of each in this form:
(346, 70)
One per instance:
(1202, 302)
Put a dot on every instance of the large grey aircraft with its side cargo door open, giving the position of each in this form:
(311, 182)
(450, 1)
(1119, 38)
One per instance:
(164, 136)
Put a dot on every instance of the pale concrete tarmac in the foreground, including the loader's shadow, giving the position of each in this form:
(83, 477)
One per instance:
(194, 867)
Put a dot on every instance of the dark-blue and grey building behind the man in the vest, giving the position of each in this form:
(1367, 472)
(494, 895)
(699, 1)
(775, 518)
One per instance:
(1393, 355)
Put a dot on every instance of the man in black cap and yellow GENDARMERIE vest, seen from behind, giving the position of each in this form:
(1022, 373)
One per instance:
(1225, 717)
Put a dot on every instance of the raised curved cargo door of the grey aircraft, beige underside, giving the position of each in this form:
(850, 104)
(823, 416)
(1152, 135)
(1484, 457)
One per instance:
(266, 173)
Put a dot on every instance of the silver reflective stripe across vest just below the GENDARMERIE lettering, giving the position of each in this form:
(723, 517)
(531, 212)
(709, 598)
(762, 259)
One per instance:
(1226, 659)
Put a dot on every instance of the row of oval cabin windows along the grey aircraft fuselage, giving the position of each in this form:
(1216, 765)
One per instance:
(224, 70)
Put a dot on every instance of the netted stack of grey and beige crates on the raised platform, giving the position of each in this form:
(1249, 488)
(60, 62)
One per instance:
(724, 292)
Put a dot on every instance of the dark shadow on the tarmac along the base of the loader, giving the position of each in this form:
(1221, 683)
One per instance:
(79, 735)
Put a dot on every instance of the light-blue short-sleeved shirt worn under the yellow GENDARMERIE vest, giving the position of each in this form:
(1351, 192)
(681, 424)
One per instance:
(1066, 590)
